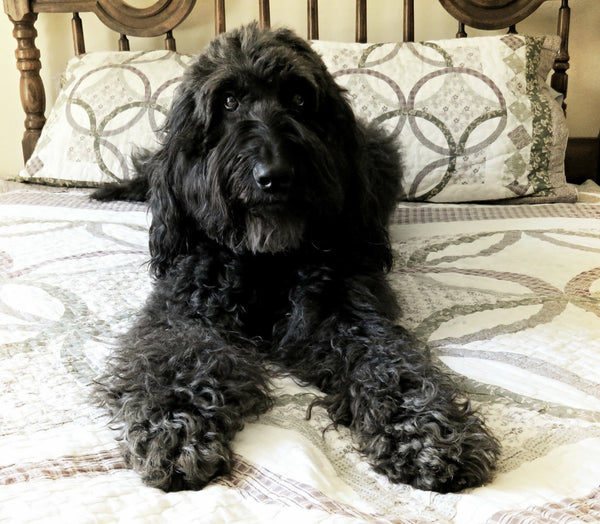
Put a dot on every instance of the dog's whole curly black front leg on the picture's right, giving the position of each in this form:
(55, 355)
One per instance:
(408, 417)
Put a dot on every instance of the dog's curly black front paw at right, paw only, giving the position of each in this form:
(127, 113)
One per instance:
(433, 452)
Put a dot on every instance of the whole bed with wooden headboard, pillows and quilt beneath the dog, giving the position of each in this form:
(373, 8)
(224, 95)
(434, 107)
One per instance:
(497, 268)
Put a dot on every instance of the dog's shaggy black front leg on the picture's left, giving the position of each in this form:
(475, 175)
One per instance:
(179, 392)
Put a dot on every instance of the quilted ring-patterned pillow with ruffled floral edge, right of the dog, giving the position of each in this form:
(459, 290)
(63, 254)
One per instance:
(474, 117)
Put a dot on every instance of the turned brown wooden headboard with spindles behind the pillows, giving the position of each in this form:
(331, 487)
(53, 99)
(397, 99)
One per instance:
(164, 16)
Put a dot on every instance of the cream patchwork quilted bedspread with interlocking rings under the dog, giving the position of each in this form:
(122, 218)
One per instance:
(507, 297)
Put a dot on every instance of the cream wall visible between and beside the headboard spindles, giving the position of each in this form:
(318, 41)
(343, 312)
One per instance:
(337, 19)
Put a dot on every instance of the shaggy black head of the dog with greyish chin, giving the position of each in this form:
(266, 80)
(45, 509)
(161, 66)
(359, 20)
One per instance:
(261, 150)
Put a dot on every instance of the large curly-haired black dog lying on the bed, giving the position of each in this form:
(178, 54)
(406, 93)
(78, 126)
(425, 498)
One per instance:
(270, 205)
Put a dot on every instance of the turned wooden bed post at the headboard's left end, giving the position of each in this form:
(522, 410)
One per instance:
(33, 96)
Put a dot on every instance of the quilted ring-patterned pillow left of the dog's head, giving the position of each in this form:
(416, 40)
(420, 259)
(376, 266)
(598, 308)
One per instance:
(110, 105)
